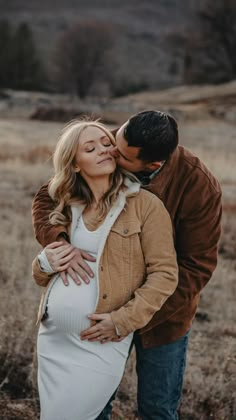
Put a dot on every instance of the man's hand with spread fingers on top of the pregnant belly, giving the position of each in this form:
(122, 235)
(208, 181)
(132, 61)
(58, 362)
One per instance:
(77, 268)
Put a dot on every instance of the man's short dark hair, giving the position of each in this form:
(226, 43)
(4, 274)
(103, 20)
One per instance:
(155, 132)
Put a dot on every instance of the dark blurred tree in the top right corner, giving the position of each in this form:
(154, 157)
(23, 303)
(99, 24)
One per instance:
(210, 49)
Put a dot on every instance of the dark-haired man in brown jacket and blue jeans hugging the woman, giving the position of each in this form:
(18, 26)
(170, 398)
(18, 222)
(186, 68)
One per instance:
(147, 144)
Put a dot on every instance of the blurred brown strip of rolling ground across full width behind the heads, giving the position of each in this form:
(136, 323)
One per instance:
(183, 102)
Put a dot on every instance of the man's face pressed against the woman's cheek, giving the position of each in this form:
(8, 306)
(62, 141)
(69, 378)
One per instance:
(126, 156)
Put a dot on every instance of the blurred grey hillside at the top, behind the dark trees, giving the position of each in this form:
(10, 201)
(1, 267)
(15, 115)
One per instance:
(144, 52)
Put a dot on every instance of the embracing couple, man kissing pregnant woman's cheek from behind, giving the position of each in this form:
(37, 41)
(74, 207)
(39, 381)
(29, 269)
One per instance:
(129, 225)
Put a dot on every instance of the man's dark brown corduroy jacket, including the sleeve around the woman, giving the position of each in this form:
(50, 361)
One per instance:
(192, 196)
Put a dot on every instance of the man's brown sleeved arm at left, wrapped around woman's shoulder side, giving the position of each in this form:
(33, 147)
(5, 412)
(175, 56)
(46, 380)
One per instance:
(43, 205)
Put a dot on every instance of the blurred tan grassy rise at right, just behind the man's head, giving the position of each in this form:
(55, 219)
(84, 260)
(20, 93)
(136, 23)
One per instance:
(195, 101)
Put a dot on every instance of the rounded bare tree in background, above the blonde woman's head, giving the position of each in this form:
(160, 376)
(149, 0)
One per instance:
(82, 56)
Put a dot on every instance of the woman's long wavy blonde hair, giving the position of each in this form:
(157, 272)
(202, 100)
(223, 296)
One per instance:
(68, 187)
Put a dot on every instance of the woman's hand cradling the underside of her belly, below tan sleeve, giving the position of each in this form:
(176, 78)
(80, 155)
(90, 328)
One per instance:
(104, 330)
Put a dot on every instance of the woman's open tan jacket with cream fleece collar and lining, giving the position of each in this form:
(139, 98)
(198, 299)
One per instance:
(136, 270)
